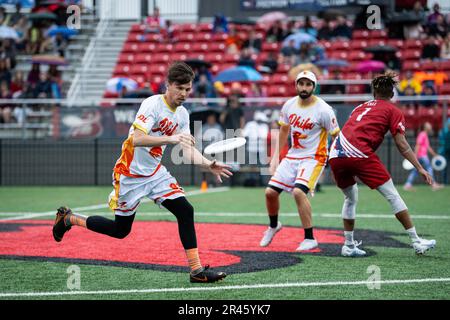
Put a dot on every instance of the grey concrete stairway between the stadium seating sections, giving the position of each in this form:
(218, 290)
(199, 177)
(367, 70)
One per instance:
(93, 80)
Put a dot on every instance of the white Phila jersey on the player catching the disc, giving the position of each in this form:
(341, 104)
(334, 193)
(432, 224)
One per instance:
(156, 118)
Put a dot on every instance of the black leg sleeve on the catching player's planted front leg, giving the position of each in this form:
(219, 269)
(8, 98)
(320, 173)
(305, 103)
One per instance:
(184, 212)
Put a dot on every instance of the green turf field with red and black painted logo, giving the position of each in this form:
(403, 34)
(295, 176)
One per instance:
(149, 264)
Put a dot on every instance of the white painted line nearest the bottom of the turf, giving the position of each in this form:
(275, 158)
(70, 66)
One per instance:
(221, 288)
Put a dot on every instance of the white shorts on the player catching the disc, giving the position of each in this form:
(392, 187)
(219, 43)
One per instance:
(128, 191)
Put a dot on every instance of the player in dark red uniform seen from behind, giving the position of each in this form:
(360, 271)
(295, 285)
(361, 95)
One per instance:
(353, 155)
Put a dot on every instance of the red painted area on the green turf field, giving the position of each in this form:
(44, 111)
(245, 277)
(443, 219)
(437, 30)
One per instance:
(155, 243)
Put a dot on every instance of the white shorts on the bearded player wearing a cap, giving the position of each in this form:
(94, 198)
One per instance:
(292, 171)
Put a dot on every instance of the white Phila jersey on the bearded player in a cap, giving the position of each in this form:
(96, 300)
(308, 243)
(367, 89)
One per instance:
(310, 126)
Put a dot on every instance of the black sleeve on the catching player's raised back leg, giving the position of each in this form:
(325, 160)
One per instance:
(119, 228)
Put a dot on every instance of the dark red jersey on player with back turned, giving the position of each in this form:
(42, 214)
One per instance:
(364, 131)
